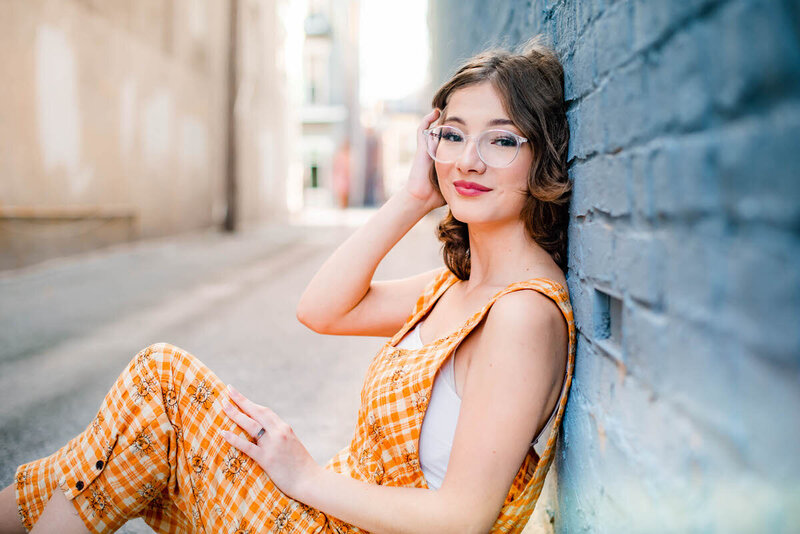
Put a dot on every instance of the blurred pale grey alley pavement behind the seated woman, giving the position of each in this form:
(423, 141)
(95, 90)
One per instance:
(69, 326)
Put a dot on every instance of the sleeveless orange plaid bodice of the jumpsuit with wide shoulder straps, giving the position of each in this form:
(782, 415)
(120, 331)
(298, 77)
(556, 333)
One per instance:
(395, 395)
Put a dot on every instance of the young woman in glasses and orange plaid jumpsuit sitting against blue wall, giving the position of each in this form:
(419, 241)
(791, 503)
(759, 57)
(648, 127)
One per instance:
(447, 440)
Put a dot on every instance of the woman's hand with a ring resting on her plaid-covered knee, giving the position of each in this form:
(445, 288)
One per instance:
(285, 460)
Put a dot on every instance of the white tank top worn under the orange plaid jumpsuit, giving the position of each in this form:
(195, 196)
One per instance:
(441, 416)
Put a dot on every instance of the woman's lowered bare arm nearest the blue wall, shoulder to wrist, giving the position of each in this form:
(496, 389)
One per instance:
(519, 360)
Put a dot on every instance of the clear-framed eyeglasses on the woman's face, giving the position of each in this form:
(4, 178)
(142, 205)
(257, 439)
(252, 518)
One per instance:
(496, 148)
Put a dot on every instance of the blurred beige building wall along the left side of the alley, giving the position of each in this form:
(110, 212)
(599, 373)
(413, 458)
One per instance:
(115, 119)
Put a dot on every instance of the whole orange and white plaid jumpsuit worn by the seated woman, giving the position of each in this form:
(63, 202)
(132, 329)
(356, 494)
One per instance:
(154, 449)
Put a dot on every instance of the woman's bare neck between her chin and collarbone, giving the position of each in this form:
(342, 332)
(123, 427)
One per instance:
(501, 254)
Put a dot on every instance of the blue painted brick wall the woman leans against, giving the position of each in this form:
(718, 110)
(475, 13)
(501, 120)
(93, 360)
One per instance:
(685, 156)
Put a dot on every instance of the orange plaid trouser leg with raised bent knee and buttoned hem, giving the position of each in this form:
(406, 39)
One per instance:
(155, 450)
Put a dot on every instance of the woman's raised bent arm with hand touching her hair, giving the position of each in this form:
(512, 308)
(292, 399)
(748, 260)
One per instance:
(342, 298)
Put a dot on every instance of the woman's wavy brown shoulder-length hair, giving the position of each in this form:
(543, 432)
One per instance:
(531, 86)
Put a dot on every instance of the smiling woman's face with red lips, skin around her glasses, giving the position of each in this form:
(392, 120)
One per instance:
(474, 109)
